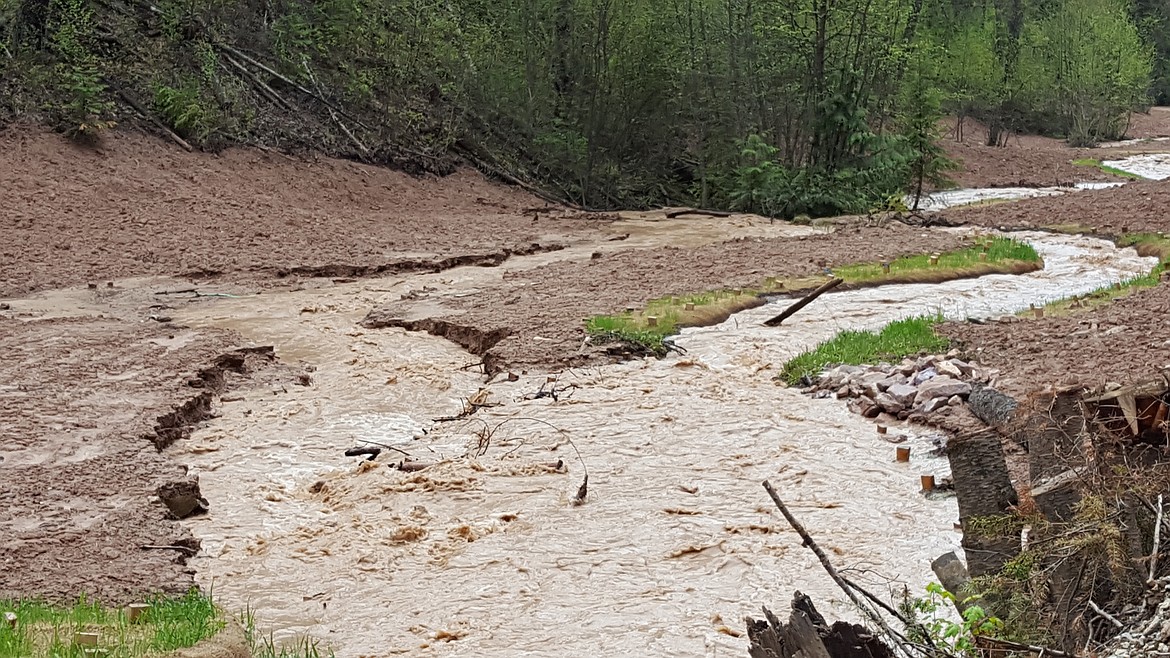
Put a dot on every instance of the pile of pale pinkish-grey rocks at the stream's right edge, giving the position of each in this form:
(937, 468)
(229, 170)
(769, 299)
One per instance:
(917, 386)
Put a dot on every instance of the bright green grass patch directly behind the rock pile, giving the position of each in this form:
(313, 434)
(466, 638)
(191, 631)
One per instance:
(896, 341)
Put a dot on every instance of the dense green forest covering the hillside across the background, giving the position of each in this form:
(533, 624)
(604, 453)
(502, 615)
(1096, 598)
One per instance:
(780, 107)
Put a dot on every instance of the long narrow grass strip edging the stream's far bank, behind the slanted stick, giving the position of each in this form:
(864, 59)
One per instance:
(665, 317)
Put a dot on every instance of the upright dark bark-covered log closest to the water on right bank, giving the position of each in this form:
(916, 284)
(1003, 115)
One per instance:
(986, 499)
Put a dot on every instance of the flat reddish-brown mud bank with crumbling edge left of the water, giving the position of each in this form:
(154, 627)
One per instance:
(86, 401)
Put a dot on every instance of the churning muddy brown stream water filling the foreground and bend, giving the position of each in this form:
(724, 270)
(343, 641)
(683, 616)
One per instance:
(483, 554)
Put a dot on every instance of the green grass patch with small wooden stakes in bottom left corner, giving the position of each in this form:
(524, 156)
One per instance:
(51, 632)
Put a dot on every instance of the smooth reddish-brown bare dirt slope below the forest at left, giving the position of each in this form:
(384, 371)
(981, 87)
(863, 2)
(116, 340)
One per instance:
(139, 207)
